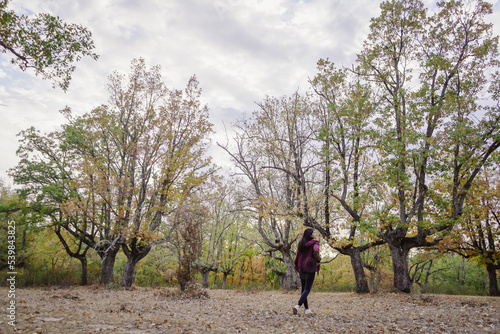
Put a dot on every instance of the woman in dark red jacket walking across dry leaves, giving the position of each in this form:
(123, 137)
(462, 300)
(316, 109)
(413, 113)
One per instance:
(307, 264)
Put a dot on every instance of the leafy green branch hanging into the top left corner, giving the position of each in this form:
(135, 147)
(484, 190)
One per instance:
(44, 43)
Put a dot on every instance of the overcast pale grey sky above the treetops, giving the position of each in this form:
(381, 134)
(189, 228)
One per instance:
(240, 51)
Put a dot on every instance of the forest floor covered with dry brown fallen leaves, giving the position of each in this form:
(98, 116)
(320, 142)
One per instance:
(154, 310)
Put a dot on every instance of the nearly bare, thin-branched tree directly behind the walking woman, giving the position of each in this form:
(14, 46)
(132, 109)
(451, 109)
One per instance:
(271, 150)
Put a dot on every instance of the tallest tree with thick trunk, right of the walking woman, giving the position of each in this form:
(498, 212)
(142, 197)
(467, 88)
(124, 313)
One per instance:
(424, 121)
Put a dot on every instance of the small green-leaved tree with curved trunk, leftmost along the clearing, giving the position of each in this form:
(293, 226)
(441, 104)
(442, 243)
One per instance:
(46, 173)
